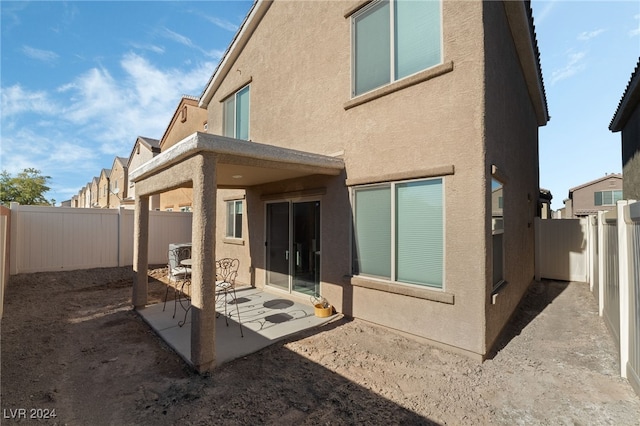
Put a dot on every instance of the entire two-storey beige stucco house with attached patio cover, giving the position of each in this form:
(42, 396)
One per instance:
(371, 160)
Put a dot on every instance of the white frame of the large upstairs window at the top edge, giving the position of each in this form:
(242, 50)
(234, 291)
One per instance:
(392, 60)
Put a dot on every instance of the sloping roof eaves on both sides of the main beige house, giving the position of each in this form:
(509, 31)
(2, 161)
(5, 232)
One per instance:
(519, 14)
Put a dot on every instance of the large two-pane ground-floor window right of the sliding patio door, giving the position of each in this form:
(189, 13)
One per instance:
(399, 231)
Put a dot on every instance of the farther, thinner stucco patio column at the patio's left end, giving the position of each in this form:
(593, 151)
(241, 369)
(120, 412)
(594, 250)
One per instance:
(140, 252)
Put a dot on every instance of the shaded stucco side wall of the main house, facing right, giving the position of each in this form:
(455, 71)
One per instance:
(511, 146)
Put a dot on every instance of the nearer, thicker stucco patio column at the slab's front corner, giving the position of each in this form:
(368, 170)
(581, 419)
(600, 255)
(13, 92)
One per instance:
(203, 270)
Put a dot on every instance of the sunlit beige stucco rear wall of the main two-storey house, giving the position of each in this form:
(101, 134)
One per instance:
(298, 63)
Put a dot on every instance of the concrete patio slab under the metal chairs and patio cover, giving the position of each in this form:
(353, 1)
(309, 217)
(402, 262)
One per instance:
(265, 317)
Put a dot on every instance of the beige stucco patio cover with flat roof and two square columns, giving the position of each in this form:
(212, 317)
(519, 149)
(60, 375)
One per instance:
(206, 162)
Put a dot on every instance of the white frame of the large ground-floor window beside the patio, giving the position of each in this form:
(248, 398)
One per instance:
(393, 259)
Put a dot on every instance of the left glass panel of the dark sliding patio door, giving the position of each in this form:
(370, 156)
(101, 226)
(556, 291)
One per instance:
(278, 245)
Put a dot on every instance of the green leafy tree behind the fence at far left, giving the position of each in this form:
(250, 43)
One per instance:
(27, 187)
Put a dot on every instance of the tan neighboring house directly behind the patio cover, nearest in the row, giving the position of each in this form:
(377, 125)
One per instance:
(187, 119)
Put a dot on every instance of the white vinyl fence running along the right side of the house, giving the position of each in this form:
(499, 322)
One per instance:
(603, 250)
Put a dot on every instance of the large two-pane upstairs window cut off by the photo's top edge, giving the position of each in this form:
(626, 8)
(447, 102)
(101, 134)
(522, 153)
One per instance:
(393, 39)
